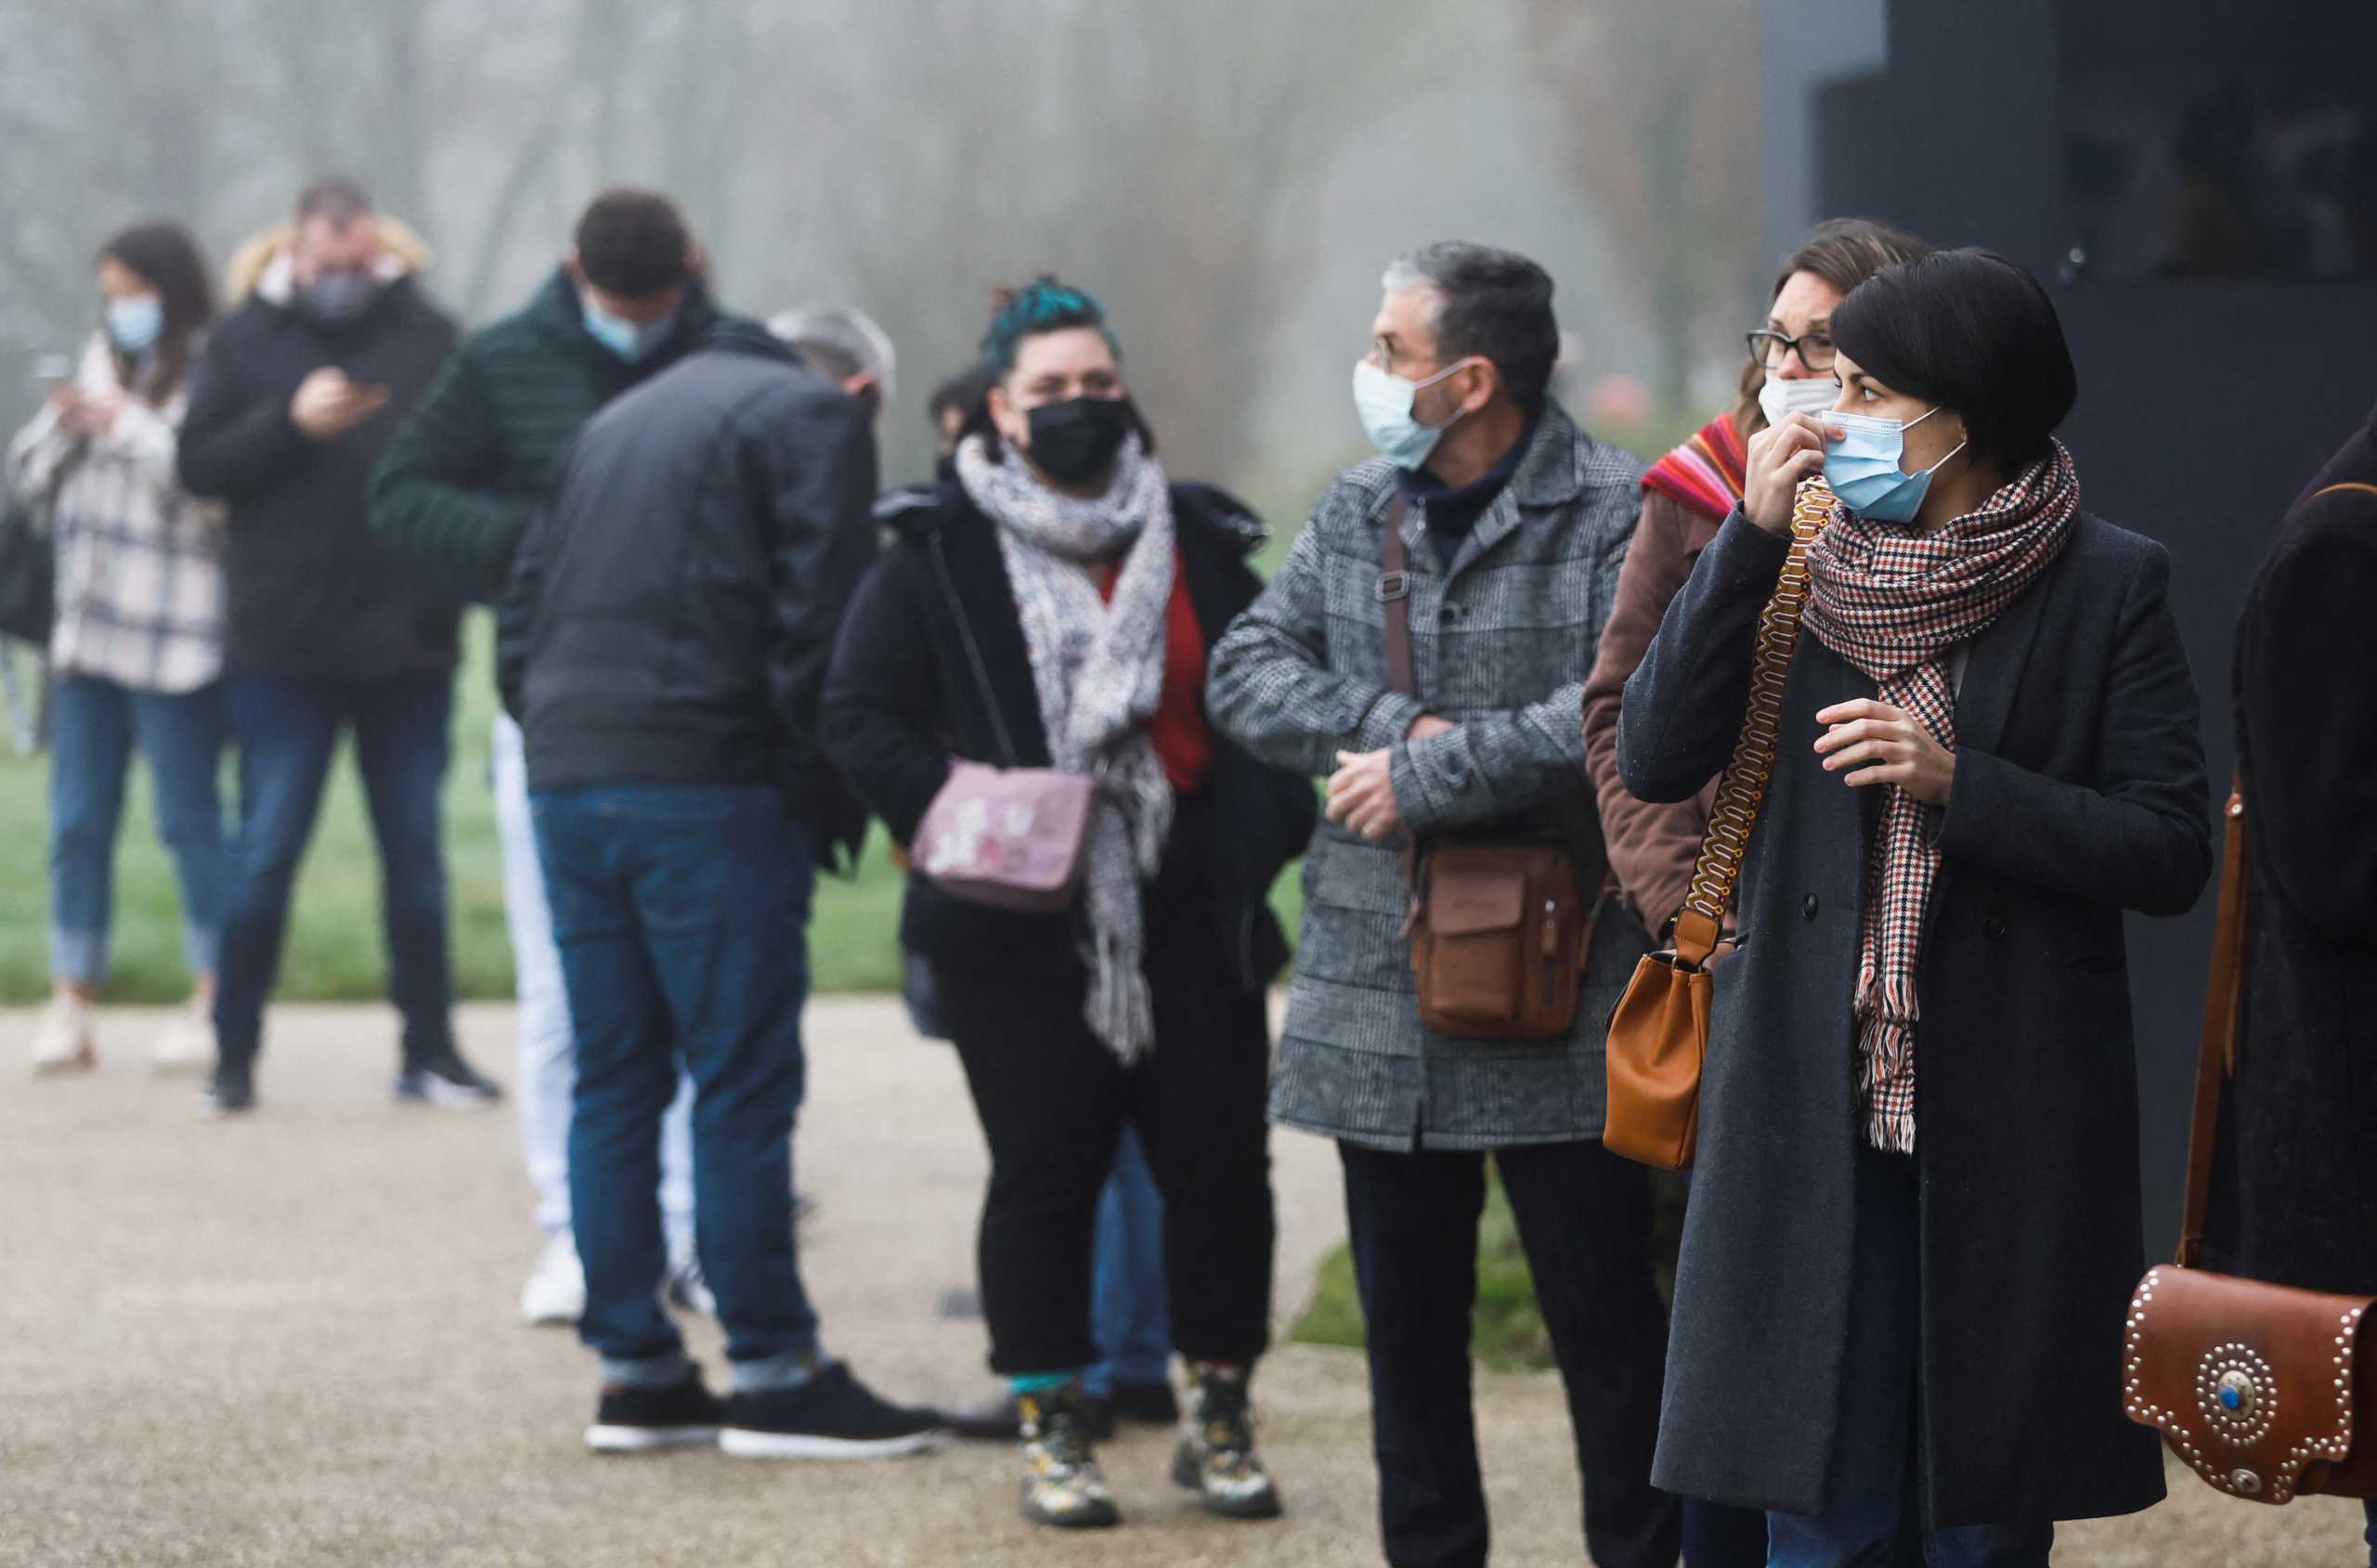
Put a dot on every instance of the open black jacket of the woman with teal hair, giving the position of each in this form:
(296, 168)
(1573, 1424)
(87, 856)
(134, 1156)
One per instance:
(904, 700)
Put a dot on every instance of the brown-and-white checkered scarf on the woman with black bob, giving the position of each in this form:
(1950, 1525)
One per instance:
(1896, 602)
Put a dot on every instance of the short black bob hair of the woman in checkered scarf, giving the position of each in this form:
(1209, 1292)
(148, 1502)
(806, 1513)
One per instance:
(1967, 331)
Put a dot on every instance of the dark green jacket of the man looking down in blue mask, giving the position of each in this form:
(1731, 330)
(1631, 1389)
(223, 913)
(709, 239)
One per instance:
(460, 481)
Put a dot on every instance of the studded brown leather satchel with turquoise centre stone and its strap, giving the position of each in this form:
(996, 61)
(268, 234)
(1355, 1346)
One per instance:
(2266, 1393)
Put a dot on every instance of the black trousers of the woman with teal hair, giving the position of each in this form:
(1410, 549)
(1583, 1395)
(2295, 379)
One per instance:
(1054, 1104)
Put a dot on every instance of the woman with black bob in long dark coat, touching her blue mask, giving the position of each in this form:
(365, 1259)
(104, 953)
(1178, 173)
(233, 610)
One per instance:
(1903, 1291)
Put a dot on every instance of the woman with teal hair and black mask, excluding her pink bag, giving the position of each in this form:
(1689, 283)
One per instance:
(1054, 607)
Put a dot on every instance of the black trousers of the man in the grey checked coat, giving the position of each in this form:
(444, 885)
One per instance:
(1584, 1222)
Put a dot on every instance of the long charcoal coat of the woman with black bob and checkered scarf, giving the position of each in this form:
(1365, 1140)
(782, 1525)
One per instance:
(2079, 795)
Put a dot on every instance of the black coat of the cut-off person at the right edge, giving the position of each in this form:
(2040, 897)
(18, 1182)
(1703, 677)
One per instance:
(2295, 1189)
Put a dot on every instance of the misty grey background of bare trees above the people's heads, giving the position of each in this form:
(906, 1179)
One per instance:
(1228, 175)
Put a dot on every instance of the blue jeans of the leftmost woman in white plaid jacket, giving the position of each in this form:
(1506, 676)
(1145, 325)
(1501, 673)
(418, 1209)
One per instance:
(94, 726)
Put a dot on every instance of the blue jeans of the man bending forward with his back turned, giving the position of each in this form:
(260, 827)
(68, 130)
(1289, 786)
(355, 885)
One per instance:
(683, 925)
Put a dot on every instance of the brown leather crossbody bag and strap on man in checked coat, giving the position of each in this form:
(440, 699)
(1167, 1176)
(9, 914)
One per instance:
(1499, 932)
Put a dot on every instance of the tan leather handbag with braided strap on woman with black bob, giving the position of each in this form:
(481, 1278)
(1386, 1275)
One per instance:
(1660, 1028)
